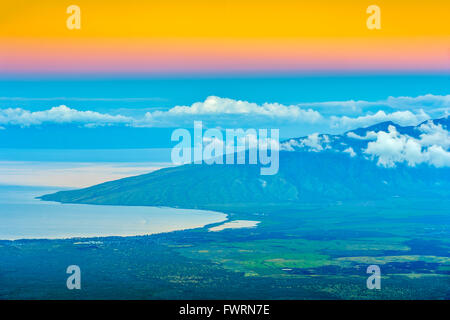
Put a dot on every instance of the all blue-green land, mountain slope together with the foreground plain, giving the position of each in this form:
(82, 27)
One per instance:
(324, 218)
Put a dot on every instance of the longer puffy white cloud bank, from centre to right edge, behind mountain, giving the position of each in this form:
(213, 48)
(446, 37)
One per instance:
(401, 110)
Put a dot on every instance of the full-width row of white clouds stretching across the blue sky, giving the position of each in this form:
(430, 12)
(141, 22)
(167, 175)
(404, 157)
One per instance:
(224, 112)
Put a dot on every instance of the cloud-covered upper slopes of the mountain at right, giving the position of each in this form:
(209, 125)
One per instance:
(386, 143)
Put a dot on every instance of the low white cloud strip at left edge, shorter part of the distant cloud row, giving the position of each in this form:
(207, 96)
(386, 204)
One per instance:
(61, 114)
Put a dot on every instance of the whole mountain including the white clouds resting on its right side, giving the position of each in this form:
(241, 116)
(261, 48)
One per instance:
(313, 168)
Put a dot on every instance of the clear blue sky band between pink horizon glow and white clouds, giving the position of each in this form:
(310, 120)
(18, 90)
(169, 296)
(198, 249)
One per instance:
(100, 94)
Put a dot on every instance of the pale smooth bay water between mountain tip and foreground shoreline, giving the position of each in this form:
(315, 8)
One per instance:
(24, 217)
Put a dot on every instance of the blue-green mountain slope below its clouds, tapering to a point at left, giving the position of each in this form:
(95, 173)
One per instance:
(303, 177)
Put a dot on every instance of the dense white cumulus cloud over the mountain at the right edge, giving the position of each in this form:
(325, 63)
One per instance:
(392, 147)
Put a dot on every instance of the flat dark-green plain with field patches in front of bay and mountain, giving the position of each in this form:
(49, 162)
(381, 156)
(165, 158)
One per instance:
(316, 251)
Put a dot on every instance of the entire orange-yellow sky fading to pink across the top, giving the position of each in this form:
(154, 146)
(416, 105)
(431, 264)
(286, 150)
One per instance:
(227, 35)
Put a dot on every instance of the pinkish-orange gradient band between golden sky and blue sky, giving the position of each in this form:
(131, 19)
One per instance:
(23, 55)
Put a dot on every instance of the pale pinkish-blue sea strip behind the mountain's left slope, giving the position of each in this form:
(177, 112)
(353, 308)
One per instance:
(77, 168)
